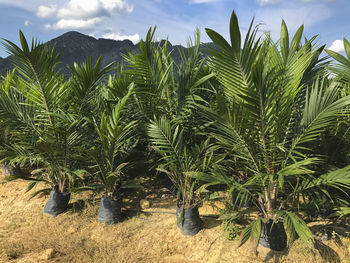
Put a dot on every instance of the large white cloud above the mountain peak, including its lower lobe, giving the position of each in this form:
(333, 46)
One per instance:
(82, 14)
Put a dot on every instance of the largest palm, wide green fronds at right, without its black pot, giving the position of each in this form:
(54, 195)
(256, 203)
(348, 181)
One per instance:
(268, 115)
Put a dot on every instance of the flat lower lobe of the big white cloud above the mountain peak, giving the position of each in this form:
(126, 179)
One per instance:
(67, 24)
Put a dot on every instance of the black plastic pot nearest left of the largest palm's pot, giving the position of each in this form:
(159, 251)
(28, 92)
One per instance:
(191, 221)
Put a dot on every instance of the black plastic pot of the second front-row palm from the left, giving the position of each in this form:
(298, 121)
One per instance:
(109, 211)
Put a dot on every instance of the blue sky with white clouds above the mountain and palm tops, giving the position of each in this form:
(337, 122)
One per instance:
(175, 19)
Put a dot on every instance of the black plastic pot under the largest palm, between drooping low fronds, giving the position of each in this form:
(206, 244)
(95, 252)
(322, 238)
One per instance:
(275, 238)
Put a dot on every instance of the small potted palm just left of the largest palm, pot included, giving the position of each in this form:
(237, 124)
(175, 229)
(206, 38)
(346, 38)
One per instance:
(178, 161)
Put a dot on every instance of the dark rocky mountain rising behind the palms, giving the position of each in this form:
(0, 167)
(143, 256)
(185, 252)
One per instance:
(76, 47)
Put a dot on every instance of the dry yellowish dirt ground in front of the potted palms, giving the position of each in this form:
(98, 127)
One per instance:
(28, 235)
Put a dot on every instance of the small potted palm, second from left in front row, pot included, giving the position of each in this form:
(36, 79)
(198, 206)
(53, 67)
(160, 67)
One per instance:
(115, 139)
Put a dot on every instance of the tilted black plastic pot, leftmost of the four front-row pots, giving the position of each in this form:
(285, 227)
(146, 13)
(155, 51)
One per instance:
(57, 203)
